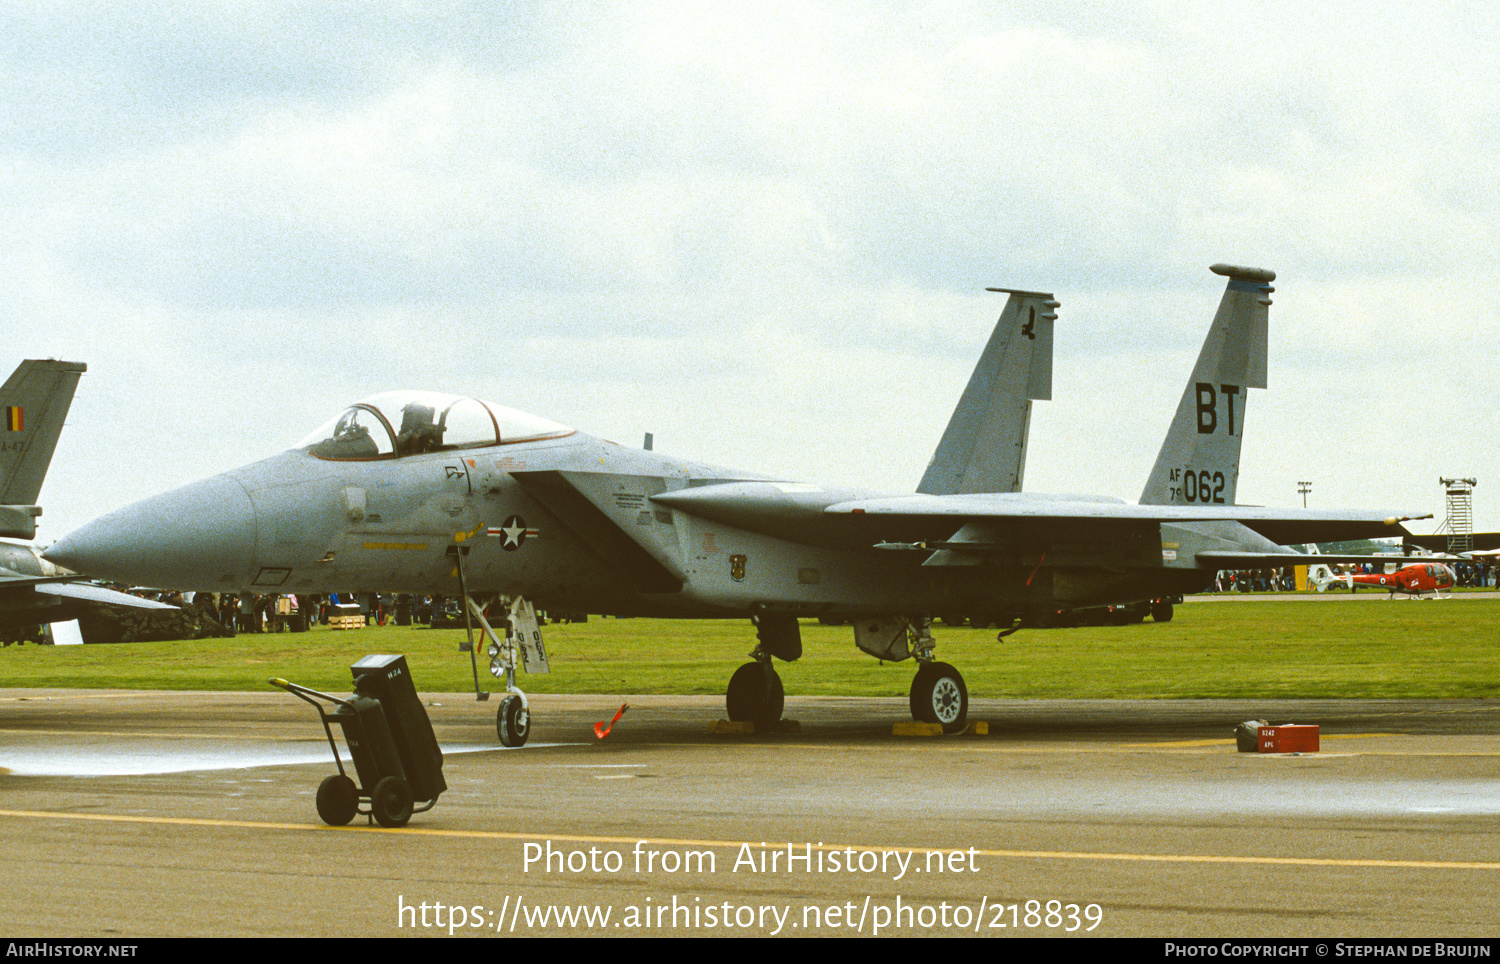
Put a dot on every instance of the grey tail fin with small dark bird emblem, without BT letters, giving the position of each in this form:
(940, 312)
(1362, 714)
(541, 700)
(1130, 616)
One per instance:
(985, 446)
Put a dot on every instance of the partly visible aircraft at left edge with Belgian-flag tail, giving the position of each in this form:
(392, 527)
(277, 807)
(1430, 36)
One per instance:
(35, 403)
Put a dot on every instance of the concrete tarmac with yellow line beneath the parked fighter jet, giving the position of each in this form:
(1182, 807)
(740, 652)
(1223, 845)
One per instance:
(146, 815)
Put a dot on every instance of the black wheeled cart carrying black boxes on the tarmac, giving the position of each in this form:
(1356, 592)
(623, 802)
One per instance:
(391, 741)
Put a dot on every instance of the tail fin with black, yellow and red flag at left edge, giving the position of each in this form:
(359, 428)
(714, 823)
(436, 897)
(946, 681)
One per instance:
(35, 403)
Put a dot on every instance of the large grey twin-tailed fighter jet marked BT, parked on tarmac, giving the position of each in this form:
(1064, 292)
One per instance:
(424, 492)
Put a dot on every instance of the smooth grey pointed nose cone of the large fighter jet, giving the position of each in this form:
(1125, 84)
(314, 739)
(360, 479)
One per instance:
(197, 537)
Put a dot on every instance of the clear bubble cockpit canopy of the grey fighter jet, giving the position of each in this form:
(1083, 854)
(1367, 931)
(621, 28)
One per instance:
(407, 424)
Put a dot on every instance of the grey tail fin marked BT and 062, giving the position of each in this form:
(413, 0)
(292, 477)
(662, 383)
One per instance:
(1199, 463)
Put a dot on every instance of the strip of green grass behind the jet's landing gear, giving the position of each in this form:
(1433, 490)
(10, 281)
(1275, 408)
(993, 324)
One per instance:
(1211, 650)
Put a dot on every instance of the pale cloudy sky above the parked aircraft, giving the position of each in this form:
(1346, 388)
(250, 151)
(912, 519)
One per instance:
(761, 232)
